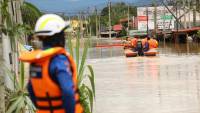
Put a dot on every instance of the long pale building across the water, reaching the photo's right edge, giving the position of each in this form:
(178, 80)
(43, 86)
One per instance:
(165, 18)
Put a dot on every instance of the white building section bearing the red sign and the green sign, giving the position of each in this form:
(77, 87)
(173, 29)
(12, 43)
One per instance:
(164, 18)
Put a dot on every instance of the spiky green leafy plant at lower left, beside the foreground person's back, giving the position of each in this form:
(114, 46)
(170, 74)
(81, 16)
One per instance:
(17, 100)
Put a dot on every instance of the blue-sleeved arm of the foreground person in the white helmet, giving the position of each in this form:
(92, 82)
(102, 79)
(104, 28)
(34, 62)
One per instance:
(61, 71)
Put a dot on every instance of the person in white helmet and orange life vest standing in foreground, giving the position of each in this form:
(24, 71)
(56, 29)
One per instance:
(53, 79)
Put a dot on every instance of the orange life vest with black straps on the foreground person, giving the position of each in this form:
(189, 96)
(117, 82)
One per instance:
(47, 92)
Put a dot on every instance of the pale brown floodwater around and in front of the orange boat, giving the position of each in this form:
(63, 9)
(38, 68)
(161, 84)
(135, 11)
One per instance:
(166, 83)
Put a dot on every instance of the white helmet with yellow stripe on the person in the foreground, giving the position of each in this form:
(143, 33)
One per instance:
(50, 24)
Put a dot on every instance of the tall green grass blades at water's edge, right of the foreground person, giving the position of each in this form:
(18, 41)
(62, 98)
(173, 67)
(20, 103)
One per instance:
(87, 92)
